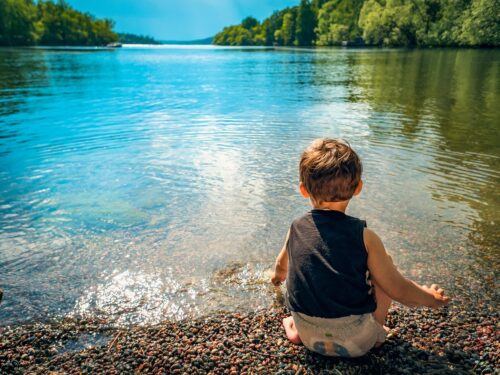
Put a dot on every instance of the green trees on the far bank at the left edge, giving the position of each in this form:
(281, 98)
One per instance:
(27, 23)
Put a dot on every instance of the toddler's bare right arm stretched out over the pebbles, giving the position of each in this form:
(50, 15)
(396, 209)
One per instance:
(395, 285)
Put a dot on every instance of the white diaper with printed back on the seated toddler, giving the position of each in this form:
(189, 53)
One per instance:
(350, 336)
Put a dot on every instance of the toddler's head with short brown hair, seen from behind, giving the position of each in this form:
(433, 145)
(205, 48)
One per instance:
(330, 170)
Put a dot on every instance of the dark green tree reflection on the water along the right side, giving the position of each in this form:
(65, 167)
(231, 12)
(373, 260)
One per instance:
(442, 103)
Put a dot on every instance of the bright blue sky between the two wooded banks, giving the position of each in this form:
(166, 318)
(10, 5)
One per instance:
(178, 19)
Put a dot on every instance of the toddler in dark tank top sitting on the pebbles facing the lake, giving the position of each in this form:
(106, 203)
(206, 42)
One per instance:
(340, 280)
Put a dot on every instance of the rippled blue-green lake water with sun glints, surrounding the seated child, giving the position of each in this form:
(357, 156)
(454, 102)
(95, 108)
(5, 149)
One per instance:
(144, 184)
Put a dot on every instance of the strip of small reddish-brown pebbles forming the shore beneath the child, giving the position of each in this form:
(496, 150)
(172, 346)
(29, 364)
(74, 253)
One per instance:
(456, 340)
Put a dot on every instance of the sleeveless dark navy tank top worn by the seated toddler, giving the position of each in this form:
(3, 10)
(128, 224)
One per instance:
(327, 268)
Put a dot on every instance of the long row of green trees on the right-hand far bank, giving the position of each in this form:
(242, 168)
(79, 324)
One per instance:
(392, 23)
